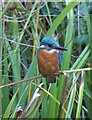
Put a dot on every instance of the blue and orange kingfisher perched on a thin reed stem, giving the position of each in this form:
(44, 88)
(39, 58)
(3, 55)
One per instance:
(50, 55)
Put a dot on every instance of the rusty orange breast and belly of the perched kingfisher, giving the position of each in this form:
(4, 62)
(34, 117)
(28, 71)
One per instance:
(48, 62)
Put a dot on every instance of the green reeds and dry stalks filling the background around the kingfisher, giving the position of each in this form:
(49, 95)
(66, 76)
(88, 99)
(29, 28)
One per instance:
(22, 26)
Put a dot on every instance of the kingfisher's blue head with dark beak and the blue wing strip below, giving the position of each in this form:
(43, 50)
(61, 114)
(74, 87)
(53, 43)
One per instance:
(49, 43)
